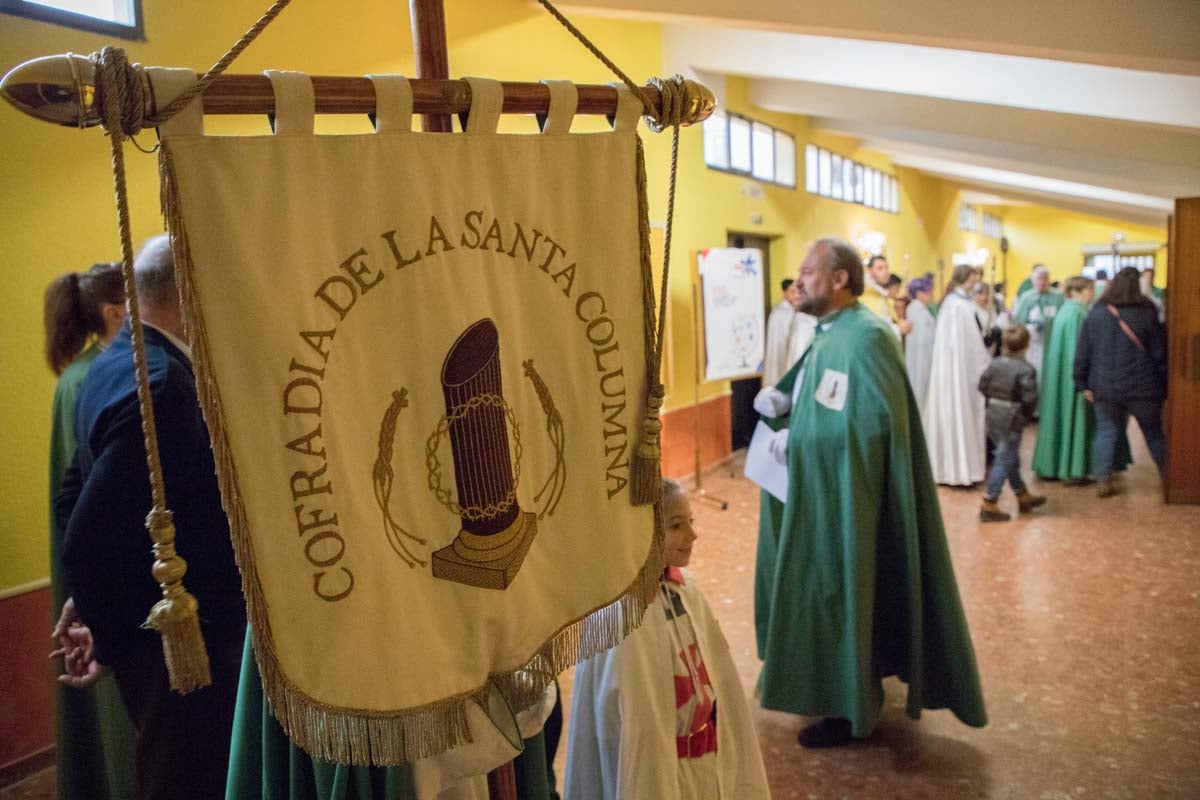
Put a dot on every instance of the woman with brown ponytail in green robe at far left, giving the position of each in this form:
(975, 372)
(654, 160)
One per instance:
(85, 311)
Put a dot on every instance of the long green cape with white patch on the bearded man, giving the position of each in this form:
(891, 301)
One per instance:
(863, 585)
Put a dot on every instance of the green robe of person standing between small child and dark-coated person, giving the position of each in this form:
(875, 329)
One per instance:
(1066, 420)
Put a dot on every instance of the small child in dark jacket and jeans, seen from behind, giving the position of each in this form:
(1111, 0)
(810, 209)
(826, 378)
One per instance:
(1011, 386)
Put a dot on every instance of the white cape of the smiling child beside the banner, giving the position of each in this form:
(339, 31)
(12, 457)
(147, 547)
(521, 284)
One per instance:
(622, 739)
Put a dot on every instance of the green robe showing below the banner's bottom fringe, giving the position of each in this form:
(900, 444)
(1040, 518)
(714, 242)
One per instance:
(265, 765)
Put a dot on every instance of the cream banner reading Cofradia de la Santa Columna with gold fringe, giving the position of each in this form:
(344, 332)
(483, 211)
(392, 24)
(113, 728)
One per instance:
(424, 365)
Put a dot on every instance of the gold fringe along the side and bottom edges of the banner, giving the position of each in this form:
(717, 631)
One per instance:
(363, 737)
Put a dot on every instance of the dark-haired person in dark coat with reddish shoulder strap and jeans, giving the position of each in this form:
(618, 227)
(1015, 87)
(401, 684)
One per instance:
(1121, 369)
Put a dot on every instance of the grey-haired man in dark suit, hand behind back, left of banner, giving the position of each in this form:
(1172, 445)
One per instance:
(183, 748)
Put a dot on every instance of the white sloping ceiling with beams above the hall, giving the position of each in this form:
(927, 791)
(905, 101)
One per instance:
(1087, 106)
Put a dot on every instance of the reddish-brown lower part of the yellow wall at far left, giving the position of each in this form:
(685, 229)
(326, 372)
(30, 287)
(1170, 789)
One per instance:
(27, 683)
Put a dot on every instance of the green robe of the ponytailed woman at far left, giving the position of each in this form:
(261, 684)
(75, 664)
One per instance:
(94, 737)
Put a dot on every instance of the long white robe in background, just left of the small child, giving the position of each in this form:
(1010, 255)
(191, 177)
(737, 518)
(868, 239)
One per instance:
(953, 417)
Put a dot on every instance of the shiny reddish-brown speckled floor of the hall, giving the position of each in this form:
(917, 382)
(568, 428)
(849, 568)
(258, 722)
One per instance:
(1087, 625)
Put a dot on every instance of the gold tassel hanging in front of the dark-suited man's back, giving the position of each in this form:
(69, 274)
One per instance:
(176, 617)
